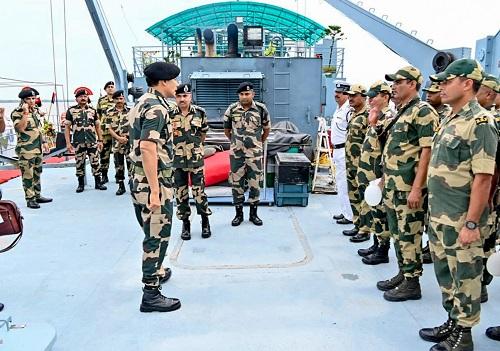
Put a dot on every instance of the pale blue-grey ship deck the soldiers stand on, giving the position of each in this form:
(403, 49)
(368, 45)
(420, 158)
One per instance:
(294, 284)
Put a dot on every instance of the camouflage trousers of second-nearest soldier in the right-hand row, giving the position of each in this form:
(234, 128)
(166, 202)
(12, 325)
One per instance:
(406, 226)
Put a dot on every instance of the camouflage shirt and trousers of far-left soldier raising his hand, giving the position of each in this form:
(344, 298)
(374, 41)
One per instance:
(29, 151)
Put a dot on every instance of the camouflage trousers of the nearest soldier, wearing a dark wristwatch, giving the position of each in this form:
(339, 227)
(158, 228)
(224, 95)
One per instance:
(458, 272)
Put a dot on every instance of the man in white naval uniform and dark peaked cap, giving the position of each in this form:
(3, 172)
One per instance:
(340, 122)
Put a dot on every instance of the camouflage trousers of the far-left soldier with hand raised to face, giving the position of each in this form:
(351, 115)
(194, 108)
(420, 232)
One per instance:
(31, 169)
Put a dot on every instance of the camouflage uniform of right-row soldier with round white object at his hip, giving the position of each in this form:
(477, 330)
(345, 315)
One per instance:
(370, 168)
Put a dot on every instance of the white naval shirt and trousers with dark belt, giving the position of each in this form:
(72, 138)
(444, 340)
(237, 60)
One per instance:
(340, 121)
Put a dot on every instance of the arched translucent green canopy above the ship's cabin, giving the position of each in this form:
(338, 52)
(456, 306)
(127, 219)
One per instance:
(176, 28)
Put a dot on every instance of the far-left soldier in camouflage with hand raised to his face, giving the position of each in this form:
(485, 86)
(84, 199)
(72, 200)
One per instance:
(30, 147)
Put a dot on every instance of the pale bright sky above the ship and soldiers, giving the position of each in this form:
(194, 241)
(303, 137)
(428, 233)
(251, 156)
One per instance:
(27, 44)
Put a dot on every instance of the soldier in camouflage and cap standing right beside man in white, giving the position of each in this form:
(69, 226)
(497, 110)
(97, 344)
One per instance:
(358, 125)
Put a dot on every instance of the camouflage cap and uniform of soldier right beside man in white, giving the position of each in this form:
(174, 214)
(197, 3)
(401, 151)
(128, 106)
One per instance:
(358, 125)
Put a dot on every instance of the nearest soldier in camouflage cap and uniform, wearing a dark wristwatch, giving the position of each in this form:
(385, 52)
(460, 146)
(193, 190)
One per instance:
(461, 167)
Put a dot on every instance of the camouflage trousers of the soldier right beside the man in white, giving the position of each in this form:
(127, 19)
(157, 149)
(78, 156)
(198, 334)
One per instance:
(361, 216)
